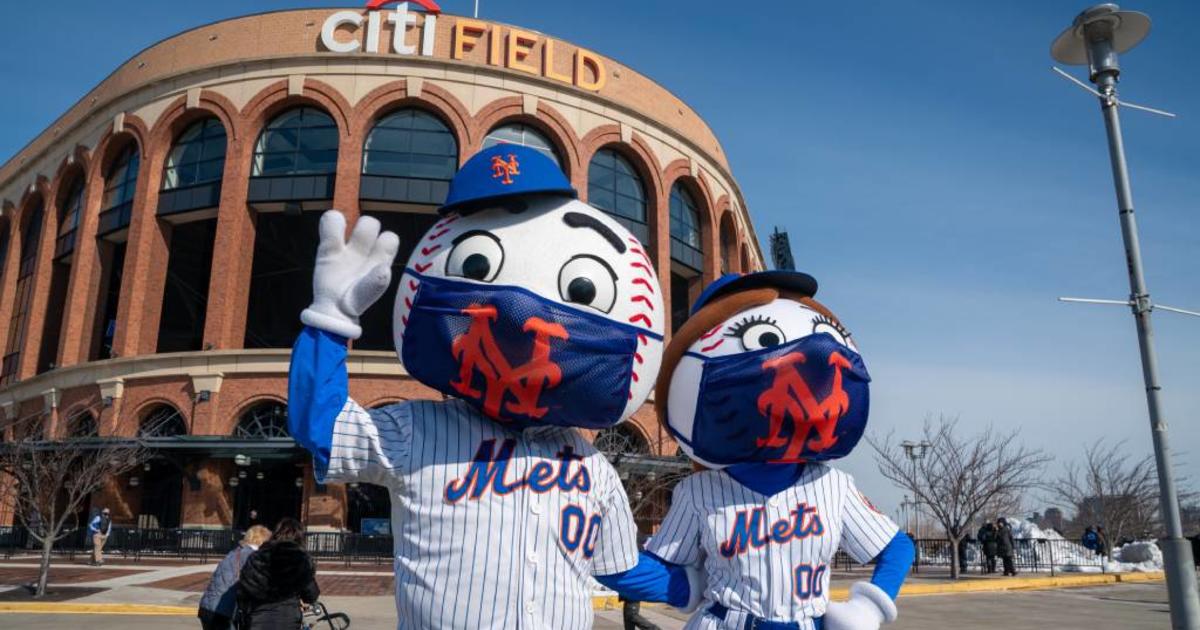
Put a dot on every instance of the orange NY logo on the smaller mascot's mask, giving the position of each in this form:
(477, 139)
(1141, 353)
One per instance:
(791, 397)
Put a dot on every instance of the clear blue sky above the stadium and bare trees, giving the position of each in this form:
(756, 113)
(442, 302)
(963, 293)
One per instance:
(937, 178)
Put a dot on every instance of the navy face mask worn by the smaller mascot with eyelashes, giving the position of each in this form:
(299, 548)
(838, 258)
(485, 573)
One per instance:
(811, 397)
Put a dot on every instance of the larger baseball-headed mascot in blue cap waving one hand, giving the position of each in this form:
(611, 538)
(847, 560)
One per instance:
(533, 314)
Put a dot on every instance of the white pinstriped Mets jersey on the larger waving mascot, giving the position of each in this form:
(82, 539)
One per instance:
(493, 529)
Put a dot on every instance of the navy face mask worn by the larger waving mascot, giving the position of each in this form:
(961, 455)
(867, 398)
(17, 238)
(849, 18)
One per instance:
(519, 358)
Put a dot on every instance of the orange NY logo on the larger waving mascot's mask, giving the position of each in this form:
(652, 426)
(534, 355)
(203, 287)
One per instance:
(477, 352)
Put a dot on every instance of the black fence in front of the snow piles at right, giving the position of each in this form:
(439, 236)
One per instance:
(1031, 555)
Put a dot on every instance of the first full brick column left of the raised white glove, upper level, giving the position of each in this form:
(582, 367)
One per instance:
(233, 254)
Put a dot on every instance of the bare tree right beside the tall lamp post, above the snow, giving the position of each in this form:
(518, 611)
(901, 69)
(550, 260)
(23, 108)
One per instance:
(1112, 490)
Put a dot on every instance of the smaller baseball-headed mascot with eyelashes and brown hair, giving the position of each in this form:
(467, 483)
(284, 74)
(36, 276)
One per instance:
(761, 387)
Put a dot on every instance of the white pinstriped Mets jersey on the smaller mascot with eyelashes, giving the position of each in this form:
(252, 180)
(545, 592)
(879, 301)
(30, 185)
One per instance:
(769, 556)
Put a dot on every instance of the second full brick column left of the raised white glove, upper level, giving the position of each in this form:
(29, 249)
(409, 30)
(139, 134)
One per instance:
(146, 265)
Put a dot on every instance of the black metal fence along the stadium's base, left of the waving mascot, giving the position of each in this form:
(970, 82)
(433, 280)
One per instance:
(201, 545)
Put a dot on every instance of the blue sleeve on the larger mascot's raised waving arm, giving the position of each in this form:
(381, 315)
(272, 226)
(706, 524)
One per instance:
(319, 388)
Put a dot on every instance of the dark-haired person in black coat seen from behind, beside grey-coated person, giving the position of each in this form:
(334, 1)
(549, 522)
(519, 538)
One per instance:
(277, 580)
